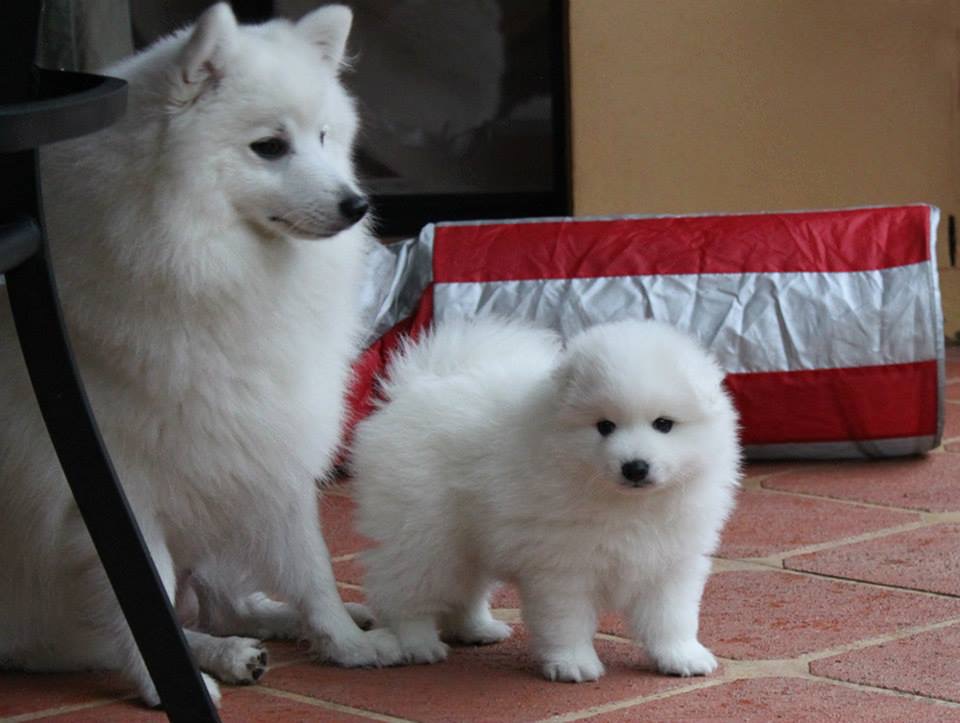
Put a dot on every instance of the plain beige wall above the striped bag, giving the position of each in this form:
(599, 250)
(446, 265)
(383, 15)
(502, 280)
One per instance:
(743, 105)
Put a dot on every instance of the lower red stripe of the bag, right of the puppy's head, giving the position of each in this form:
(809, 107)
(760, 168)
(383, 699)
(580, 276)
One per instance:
(829, 405)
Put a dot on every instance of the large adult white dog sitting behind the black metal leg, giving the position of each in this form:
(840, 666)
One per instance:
(210, 297)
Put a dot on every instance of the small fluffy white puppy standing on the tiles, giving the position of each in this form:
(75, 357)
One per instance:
(486, 464)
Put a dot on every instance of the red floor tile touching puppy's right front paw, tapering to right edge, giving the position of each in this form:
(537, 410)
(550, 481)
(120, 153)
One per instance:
(756, 615)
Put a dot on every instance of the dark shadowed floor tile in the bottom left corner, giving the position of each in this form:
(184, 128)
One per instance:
(22, 693)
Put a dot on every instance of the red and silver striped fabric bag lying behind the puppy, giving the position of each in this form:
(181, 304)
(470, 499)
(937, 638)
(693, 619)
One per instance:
(827, 322)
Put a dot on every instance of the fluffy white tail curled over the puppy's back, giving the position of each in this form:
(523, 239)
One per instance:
(463, 346)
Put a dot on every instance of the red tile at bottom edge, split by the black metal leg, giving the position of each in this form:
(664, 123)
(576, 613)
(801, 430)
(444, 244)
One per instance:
(239, 705)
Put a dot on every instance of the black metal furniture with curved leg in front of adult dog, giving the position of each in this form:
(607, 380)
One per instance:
(76, 104)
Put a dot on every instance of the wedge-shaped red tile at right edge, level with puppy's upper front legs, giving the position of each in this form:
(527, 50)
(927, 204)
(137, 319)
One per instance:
(924, 559)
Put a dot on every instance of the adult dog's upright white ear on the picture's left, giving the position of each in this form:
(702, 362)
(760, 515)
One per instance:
(203, 60)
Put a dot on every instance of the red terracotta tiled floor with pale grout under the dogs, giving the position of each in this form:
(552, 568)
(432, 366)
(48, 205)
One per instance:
(835, 596)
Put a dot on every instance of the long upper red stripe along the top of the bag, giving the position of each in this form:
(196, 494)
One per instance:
(820, 241)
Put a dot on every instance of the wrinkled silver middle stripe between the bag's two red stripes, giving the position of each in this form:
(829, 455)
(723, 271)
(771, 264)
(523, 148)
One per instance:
(753, 322)
